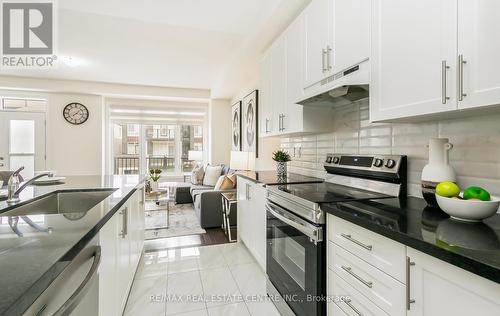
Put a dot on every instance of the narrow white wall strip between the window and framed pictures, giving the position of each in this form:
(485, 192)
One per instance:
(219, 131)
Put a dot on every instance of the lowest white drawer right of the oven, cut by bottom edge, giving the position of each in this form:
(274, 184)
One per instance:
(354, 303)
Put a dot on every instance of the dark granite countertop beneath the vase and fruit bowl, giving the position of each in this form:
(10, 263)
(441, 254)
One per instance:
(474, 247)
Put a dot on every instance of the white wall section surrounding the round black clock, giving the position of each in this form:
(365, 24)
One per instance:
(75, 149)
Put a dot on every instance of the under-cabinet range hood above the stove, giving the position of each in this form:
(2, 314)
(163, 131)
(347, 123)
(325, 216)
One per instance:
(342, 88)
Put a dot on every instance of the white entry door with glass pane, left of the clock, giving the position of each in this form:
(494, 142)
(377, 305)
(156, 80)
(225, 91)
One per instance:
(22, 142)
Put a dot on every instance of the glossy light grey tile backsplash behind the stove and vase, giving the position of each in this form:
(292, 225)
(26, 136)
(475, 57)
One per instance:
(475, 156)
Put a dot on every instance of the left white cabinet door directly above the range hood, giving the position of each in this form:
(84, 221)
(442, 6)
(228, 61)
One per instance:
(318, 43)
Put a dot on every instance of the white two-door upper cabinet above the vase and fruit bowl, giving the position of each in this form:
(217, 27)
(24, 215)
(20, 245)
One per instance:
(431, 57)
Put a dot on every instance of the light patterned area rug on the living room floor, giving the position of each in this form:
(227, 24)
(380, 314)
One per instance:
(183, 221)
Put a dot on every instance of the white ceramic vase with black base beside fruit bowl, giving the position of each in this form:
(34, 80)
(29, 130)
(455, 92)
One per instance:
(438, 169)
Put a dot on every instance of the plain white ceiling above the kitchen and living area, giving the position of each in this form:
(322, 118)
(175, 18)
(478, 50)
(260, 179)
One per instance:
(208, 44)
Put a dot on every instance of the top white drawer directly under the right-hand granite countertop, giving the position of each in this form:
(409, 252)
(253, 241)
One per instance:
(381, 252)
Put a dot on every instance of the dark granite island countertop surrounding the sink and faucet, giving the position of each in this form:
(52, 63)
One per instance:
(31, 261)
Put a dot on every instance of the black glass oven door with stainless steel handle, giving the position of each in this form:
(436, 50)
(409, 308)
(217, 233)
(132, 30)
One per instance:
(296, 262)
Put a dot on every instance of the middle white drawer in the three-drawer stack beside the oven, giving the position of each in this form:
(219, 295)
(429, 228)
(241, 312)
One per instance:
(380, 288)
